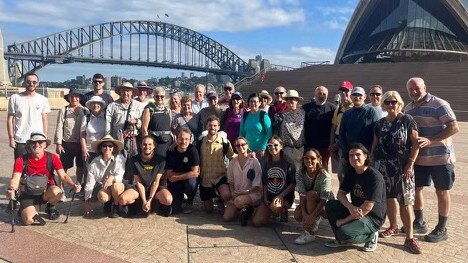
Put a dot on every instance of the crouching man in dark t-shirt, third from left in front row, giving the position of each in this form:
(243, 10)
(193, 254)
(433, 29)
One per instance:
(147, 172)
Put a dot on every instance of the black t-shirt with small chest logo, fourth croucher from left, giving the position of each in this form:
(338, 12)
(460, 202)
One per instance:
(182, 162)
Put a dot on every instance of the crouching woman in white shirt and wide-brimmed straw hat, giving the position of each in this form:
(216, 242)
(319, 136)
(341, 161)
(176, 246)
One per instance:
(105, 175)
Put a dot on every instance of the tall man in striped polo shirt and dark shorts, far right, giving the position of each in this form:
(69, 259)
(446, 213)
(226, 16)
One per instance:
(437, 124)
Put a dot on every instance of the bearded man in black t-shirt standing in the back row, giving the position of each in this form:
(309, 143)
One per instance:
(318, 123)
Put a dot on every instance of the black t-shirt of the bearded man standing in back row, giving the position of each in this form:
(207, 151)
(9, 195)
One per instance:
(317, 124)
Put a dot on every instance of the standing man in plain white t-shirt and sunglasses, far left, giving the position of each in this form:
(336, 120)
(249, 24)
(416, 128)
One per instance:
(27, 112)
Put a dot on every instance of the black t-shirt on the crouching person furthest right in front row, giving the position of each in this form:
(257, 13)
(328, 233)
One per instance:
(368, 186)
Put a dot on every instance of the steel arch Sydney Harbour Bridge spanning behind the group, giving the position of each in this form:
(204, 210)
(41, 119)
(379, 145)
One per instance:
(139, 43)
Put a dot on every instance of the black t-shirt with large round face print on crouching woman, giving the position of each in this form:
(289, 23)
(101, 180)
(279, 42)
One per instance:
(277, 176)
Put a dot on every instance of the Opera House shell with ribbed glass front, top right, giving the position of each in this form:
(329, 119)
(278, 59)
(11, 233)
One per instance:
(405, 31)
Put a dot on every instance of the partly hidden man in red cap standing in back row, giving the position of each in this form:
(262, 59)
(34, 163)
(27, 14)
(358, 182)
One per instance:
(346, 103)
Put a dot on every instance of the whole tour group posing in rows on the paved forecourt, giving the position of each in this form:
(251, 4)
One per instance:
(247, 156)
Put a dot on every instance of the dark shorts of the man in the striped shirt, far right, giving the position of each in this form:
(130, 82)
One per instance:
(443, 176)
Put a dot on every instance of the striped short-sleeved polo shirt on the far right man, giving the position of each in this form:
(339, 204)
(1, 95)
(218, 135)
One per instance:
(432, 115)
